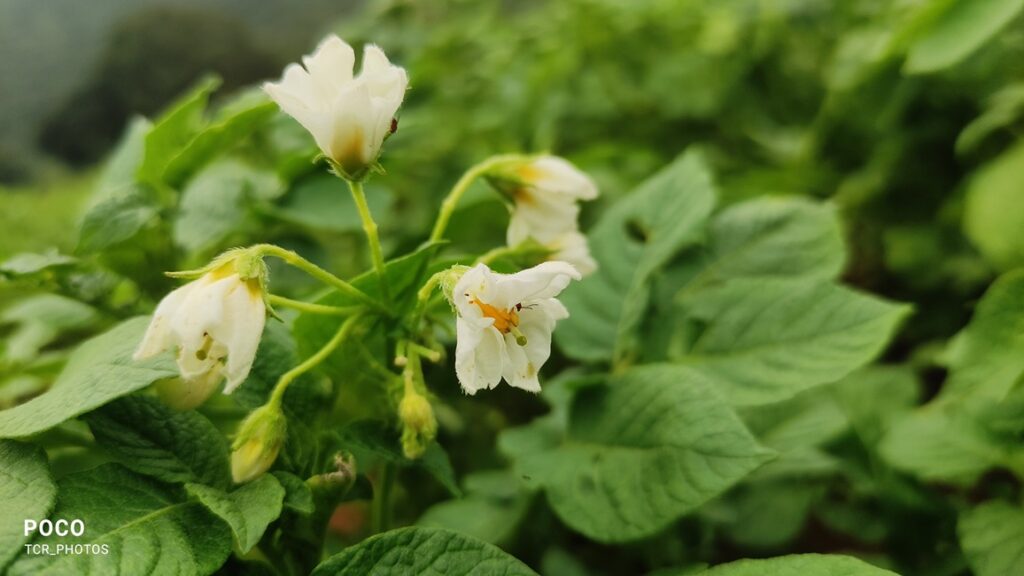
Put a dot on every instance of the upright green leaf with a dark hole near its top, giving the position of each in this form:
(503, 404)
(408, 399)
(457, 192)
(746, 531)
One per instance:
(634, 239)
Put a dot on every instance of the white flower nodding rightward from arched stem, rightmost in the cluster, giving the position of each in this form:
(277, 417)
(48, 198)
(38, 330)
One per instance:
(547, 191)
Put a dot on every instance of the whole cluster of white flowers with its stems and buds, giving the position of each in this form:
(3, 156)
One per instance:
(504, 322)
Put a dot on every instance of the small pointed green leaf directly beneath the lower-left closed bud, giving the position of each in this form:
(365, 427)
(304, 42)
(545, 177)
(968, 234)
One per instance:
(248, 510)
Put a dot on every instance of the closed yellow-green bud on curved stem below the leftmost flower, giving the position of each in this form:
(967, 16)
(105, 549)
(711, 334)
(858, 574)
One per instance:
(259, 442)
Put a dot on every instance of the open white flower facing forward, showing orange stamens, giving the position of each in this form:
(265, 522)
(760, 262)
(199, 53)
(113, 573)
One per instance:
(505, 324)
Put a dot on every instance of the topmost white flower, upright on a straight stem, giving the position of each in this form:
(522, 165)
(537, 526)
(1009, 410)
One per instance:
(350, 117)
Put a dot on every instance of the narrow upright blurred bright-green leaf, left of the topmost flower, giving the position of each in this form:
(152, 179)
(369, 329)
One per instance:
(175, 130)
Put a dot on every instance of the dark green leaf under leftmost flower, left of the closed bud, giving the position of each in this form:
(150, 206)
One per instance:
(151, 439)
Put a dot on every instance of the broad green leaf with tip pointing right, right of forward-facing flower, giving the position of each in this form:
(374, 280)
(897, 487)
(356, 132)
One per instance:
(767, 340)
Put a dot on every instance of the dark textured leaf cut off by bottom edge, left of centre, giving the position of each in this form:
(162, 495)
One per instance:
(422, 551)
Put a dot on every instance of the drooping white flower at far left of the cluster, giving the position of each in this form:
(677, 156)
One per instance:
(216, 324)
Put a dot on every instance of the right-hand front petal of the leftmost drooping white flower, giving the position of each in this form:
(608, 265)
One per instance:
(245, 317)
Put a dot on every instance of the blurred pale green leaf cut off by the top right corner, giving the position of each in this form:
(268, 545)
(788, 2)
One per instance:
(958, 31)
